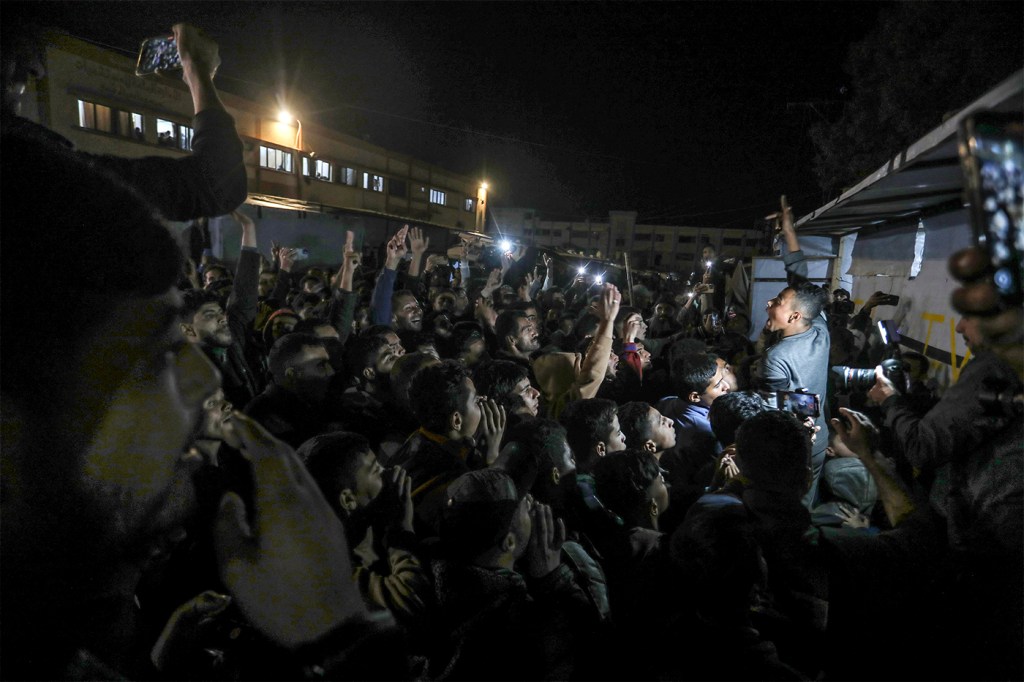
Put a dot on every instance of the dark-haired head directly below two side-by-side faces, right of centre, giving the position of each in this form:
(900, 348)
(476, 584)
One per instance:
(631, 485)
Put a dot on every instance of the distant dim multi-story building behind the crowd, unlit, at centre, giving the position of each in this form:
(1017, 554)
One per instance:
(658, 248)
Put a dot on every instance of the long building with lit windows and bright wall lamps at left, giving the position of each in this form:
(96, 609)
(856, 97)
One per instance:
(310, 184)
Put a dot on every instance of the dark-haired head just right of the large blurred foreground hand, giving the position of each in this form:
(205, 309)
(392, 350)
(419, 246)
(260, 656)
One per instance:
(346, 470)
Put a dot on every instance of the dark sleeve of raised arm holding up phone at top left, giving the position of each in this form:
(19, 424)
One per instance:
(210, 182)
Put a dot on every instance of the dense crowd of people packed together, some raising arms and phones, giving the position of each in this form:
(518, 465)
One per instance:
(498, 472)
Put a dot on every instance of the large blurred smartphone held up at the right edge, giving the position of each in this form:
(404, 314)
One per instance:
(992, 152)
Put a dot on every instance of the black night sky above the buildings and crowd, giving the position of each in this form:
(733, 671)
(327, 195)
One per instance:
(691, 113)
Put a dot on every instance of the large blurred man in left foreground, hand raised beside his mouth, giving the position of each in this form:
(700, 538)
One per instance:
(93, 439)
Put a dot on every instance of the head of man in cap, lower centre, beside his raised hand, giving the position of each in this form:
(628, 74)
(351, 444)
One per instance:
(485, 521)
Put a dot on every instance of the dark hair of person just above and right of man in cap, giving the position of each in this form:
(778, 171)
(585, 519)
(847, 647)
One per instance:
(533, 447)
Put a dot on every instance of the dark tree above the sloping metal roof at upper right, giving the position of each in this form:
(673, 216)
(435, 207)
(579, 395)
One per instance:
(923, 62)
